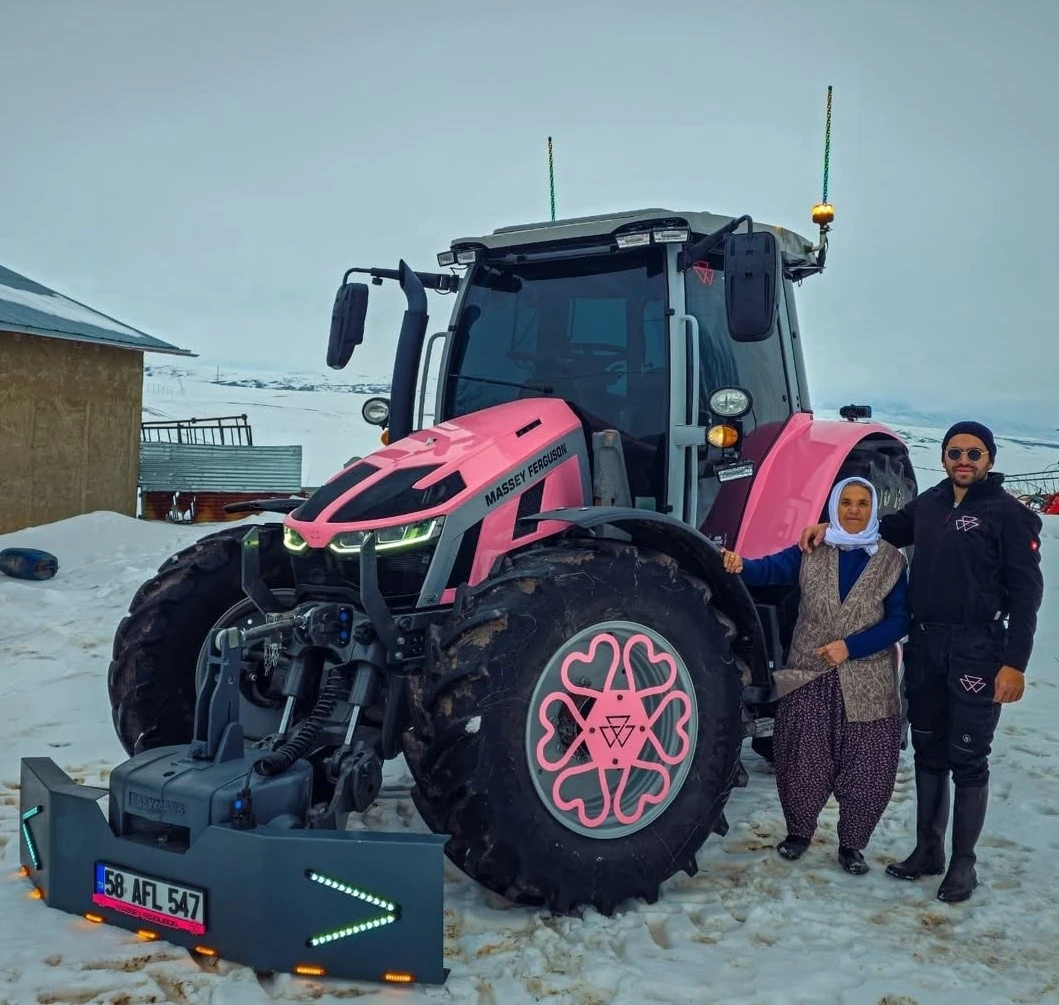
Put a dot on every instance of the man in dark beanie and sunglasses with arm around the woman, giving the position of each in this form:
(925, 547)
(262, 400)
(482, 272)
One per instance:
(977, 563)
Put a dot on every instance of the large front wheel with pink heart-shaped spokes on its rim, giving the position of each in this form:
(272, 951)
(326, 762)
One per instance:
(477, 743)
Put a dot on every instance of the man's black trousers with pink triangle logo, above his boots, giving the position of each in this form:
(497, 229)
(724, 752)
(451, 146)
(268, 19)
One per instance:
(949, 678)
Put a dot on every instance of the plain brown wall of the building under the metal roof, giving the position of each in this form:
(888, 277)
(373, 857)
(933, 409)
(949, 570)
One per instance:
(69, 429)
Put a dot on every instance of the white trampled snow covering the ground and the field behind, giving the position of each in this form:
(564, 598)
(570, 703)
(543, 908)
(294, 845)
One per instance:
(749, 928)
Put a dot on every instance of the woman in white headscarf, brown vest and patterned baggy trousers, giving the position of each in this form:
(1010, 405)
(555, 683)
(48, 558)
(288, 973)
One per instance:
(838, 727)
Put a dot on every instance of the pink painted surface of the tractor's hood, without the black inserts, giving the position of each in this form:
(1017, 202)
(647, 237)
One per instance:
(481, 447)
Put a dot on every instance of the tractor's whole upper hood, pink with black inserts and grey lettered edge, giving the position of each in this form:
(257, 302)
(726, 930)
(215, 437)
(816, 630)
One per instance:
(433, 473)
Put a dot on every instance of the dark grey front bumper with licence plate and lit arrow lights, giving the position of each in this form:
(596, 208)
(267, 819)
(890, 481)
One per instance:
(339, 904)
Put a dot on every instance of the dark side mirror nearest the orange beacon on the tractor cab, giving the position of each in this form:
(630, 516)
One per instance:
(753, 273)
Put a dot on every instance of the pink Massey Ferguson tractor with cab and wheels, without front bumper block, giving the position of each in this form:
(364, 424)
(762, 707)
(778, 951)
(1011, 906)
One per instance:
(526, 598)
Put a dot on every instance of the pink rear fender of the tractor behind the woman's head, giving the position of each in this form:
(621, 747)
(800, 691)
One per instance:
(795, 480)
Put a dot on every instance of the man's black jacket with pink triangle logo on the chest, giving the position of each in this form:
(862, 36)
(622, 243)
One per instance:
(974, 561)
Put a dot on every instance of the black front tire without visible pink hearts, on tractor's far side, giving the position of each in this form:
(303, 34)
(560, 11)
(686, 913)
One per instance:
(157, 649)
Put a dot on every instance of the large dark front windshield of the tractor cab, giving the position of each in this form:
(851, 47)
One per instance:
(589, 331)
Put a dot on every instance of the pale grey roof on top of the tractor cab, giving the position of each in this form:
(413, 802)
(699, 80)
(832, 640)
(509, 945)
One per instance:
(799, 253)
